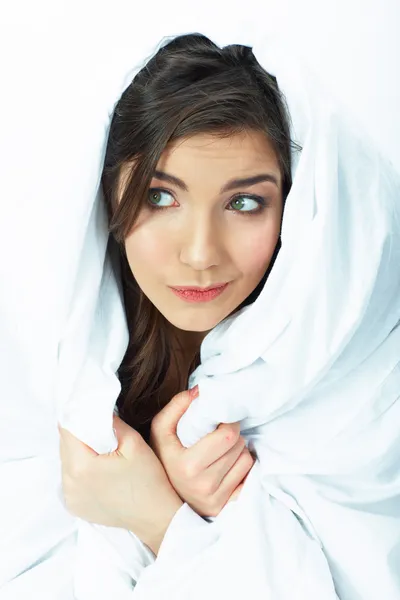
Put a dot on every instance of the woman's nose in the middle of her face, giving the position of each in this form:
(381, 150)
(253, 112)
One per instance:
(201, 246)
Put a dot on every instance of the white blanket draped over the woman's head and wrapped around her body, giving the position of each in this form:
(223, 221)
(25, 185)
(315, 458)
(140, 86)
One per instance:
(331, 458)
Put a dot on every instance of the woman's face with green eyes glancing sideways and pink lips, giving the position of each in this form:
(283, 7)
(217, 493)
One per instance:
(202, 227)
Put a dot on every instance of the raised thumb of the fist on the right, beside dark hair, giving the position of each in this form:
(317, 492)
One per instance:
(166, 421)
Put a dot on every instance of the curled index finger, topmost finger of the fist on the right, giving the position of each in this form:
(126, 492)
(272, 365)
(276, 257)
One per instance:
(213, 445)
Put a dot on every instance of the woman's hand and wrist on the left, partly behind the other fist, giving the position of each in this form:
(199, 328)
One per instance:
(127, 488)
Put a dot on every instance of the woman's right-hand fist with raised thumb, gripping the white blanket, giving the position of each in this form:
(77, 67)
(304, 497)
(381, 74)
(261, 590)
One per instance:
(208, 474)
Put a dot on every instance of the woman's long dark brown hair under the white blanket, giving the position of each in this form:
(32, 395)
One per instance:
(190, 86)
